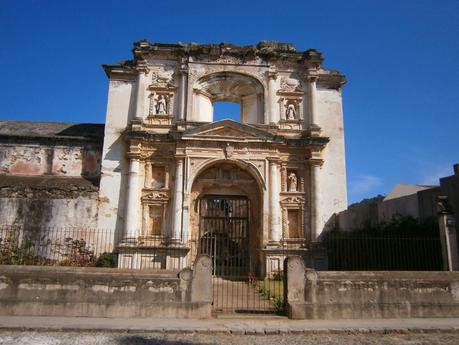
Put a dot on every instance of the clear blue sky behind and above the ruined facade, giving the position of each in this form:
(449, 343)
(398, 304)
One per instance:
(401, 59)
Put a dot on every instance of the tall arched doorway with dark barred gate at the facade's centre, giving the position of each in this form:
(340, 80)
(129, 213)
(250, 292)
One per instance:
(226, 218)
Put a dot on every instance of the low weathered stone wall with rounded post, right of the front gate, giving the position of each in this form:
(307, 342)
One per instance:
(353, 295)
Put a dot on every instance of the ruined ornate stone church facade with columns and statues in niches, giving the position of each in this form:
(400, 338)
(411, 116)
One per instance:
(169, 171)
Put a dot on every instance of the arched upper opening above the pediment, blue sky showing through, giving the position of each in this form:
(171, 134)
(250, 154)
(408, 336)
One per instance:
(214, 93)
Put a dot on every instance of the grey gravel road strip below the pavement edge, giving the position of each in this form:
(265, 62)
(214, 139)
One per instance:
(117, 338)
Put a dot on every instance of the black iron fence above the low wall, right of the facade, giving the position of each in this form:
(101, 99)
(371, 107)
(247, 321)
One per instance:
(383, 252)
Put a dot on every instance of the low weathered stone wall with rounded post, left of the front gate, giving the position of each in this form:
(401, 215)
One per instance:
(102, 292)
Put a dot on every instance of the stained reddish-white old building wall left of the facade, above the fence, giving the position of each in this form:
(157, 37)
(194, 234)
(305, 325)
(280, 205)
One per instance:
(49, 174)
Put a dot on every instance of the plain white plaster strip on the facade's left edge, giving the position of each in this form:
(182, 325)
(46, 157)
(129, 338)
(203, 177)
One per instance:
(120, 111)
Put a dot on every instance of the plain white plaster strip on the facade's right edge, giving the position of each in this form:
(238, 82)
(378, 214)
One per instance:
(332, 174)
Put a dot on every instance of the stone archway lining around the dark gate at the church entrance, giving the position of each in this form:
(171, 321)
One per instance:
(228, 181)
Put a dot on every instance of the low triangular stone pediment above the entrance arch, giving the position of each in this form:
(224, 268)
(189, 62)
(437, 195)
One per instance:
(227, 130)
